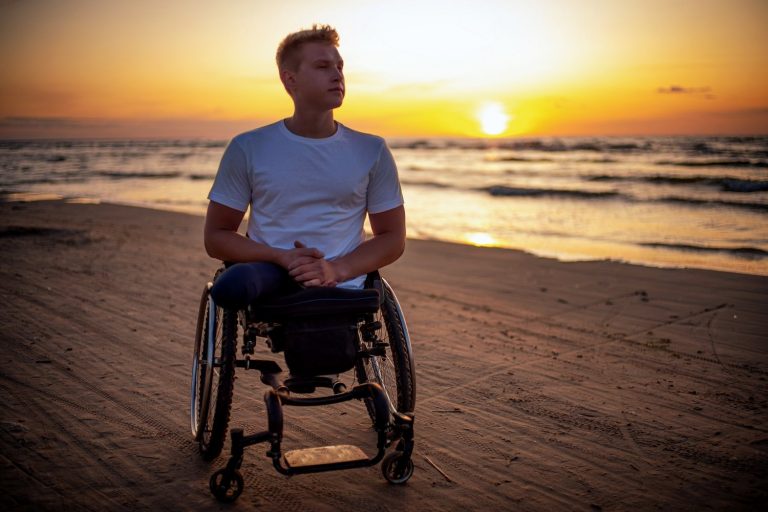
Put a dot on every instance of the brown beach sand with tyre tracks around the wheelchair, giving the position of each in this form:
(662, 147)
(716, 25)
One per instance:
(541, 385)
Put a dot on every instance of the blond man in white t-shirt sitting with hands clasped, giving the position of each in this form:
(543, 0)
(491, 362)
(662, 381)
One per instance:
(309, 181)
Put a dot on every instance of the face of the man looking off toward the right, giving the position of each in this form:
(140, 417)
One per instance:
(319, 81)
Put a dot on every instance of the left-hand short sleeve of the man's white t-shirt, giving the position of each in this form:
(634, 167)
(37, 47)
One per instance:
(231, 187)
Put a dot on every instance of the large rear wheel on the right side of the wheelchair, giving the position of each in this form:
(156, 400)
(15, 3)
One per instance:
(394, 370)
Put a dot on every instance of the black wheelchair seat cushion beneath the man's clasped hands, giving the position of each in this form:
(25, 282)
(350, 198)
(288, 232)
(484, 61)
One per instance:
(311, 302)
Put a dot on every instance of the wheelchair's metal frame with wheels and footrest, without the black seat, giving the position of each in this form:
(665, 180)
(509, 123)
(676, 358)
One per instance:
(384, 370)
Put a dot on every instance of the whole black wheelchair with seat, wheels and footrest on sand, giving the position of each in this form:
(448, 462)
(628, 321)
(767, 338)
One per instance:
(322, 333)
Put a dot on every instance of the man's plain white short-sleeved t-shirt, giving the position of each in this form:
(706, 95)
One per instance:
(316, 191)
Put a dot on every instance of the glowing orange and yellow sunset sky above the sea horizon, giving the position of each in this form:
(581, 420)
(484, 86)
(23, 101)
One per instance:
(481, 68)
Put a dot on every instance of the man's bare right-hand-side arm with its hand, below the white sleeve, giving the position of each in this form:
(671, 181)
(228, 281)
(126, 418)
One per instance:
(386, 246)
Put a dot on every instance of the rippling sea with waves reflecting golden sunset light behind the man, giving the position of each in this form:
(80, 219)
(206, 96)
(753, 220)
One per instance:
(682, 202)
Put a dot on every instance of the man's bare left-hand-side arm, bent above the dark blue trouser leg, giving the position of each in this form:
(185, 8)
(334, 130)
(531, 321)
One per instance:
(223, 242)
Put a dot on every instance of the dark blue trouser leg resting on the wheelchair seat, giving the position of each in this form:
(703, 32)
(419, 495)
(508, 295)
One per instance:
(243, 283)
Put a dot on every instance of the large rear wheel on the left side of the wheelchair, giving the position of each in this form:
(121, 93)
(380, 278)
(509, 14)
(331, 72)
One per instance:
(213, 375)
